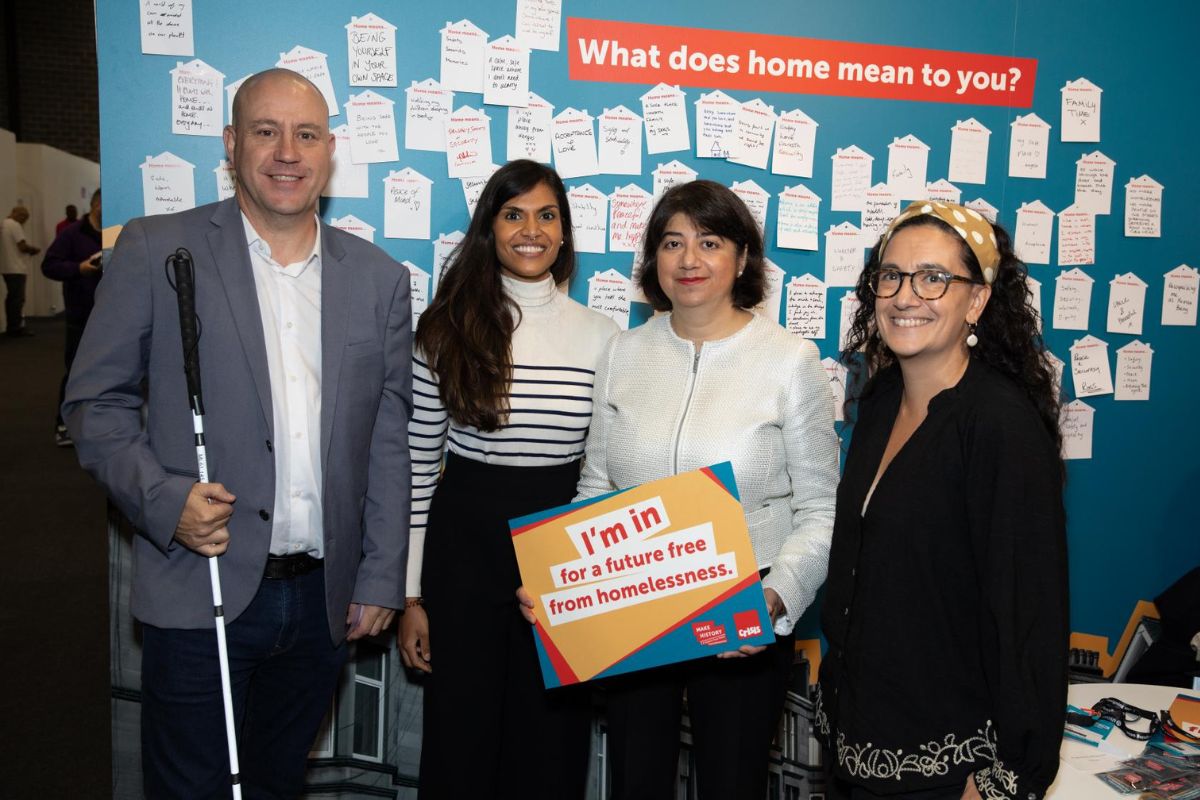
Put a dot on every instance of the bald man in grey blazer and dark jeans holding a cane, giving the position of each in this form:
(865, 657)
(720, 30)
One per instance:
(305, 357)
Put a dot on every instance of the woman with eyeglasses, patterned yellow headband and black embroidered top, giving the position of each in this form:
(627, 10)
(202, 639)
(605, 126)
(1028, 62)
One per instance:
(946, 605)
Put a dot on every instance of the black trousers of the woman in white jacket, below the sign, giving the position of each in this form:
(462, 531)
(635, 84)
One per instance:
(734, 705)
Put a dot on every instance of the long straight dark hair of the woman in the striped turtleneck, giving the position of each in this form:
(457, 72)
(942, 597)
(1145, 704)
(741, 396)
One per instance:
(466, 334)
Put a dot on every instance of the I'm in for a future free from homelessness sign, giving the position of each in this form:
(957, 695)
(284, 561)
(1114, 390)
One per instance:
(653, 575)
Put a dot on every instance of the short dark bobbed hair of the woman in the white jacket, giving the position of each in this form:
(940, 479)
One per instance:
(713, 209)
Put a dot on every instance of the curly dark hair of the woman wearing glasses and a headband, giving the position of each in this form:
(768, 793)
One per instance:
(1010, 340)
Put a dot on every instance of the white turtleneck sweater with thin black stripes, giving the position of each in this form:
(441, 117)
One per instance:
(556, 347)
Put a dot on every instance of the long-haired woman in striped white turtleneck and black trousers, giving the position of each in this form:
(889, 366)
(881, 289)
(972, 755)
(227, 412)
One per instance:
(502, 392)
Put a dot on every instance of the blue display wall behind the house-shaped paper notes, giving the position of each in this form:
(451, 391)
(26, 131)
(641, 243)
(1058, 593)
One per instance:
(1131, 524)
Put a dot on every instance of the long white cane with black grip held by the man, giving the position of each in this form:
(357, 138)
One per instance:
(181, 266)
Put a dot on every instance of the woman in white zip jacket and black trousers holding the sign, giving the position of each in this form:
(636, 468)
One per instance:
(705, 383)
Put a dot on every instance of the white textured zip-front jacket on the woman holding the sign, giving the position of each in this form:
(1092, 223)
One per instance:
(759, 399)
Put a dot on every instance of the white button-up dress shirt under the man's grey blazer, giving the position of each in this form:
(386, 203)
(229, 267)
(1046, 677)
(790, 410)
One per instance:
(290, 304)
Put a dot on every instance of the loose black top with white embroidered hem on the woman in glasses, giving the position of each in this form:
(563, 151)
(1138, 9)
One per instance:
(946, 605)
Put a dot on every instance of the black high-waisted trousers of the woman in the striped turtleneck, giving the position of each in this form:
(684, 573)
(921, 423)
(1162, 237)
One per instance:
(485, 695)
